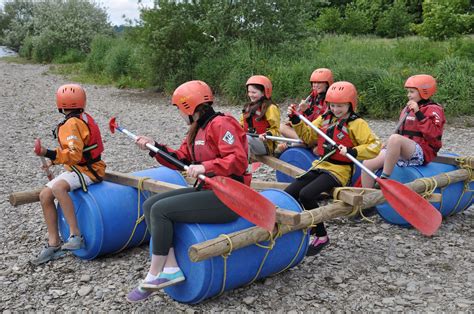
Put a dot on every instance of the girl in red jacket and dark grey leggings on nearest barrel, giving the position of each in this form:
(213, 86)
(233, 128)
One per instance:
(215, 145)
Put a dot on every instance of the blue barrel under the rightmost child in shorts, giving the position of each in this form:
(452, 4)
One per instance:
(454, 197)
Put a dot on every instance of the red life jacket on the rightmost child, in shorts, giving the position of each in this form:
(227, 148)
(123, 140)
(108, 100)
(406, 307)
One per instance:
(412, 129)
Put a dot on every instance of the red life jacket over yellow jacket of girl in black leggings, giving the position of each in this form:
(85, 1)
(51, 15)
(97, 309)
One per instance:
(339, 133)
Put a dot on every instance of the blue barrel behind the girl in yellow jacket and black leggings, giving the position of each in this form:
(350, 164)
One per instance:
(303, 158)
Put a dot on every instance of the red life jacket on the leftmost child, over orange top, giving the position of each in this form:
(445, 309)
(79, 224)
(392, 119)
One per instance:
(92, 151)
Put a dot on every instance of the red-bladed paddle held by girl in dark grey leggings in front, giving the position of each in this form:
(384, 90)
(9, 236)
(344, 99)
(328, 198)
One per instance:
(237, 196)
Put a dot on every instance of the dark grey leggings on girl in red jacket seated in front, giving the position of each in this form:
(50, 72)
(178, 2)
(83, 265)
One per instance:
(182, 205)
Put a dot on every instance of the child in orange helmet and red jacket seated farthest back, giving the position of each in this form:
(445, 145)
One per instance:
(313, 106)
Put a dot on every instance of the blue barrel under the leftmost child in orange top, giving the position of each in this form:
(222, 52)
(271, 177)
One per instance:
(108, 212)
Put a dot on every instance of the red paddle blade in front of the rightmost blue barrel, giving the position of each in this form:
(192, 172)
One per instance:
(411, 206)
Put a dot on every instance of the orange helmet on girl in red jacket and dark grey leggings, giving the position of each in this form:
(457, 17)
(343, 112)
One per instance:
(188, 96)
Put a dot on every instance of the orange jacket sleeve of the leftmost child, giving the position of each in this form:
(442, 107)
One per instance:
(72, 136)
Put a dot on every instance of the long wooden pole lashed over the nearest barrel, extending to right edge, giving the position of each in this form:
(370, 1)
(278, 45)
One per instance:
(249, 236)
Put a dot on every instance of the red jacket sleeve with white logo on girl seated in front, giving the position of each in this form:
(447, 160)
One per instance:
(231, 142)
